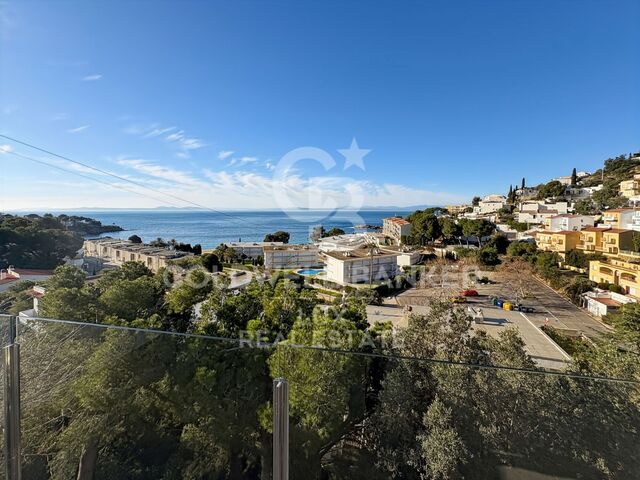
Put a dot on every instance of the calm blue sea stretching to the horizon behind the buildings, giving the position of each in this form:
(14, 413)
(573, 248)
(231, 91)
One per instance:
(210, 229)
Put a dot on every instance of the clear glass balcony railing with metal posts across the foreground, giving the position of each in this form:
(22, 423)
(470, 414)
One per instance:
(87, 401)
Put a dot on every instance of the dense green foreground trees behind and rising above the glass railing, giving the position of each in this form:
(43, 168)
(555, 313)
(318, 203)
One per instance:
(142, 405)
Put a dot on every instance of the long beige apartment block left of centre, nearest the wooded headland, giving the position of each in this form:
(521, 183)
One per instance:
(116, 252)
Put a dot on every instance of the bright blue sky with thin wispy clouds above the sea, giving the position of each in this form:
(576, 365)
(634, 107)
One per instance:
(203, 99)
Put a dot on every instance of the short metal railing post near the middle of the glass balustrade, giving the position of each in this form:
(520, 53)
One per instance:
(280, 429)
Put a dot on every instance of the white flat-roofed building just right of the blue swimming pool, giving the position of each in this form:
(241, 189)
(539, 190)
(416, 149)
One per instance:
(361, 266)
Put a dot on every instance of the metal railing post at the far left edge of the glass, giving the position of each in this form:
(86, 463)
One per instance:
(11, 371)
